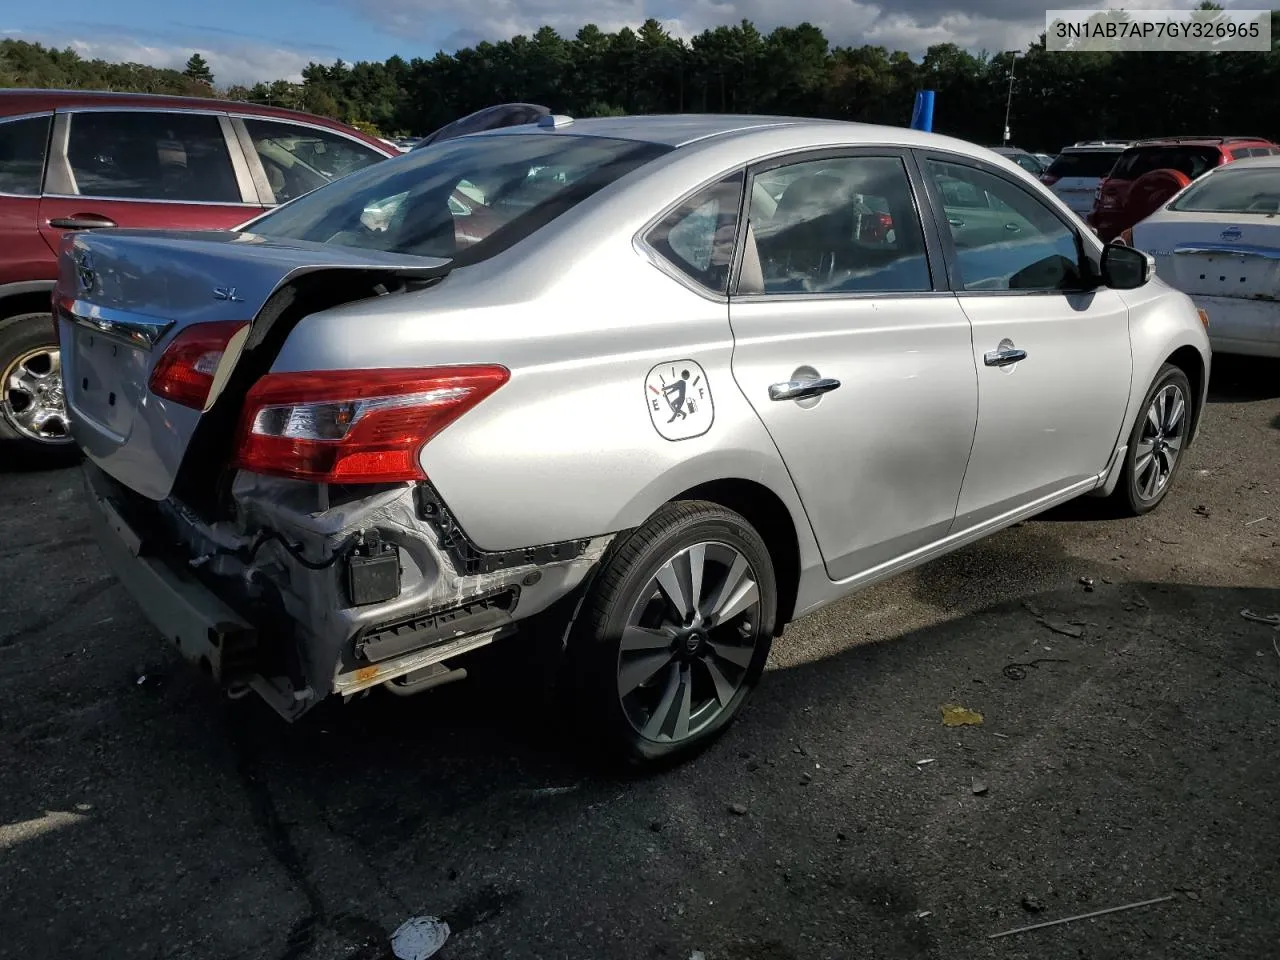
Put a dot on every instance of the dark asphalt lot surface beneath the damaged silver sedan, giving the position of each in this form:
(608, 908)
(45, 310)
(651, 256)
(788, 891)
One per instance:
(1127, 753)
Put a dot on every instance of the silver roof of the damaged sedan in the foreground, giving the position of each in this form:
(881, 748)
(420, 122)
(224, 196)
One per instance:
(685, 130)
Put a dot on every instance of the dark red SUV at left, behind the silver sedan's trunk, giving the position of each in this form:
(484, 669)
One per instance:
(74, 161)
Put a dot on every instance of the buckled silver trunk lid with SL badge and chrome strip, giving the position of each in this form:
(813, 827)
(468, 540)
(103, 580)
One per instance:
(124, 296)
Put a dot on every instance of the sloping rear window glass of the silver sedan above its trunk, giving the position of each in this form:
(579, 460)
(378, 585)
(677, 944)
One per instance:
(464, 199)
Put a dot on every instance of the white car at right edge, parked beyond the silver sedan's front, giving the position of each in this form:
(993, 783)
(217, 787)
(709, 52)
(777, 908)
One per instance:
(1219, 241)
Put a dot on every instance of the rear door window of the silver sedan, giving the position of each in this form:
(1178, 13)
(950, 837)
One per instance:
(838, 226)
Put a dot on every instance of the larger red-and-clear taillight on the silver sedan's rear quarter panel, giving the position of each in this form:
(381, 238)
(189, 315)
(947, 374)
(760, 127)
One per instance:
(355, 427)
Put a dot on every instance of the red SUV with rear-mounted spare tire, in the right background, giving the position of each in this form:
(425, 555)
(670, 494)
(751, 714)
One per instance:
(1153, 171)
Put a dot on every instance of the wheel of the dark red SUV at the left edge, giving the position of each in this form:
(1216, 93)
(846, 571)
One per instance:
(34, 424)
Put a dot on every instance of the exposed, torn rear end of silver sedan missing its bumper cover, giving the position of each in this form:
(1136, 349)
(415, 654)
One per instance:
(307, 595)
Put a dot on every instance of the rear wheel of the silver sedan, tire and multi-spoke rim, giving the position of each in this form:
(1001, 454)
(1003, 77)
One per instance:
(676, 632)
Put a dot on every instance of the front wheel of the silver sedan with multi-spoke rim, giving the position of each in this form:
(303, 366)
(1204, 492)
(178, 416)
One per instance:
(1156, 442)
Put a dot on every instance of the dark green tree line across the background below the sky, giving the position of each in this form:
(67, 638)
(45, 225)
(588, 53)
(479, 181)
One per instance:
(1058, 98)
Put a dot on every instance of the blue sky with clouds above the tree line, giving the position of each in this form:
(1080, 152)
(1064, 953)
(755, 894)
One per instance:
(252, 40)
